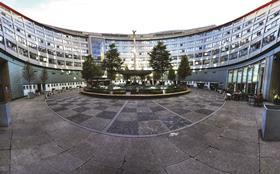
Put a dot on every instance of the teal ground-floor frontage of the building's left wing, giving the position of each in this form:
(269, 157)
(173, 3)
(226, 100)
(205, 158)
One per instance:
(11, 77)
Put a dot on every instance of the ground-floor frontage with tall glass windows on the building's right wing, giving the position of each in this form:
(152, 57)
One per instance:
(258, 75)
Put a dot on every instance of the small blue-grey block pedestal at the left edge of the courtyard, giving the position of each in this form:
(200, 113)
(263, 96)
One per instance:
(5, 114)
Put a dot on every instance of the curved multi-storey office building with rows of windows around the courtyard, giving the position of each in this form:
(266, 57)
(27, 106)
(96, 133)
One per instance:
(241, 54)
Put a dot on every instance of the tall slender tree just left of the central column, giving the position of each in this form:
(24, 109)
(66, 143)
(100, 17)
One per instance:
(112, 62)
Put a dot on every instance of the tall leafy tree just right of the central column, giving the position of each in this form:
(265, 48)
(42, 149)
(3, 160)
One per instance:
(160, 59)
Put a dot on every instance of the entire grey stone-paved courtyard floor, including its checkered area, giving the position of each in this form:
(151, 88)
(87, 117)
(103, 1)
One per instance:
(42, 142)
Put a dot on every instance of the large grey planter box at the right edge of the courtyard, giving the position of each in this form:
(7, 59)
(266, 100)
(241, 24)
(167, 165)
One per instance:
(271, 123)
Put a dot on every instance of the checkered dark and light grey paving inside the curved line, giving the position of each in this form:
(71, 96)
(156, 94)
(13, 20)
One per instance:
(136, 118)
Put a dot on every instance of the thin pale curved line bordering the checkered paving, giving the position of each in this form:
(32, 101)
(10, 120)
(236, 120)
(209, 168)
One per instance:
(137, 136)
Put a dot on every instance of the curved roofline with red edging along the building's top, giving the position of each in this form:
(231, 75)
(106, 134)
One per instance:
(117, 35)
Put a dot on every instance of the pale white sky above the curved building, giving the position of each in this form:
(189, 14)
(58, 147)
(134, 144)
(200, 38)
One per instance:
(123, 16)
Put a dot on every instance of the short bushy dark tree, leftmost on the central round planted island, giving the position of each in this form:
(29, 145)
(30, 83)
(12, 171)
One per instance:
(90, 69)
